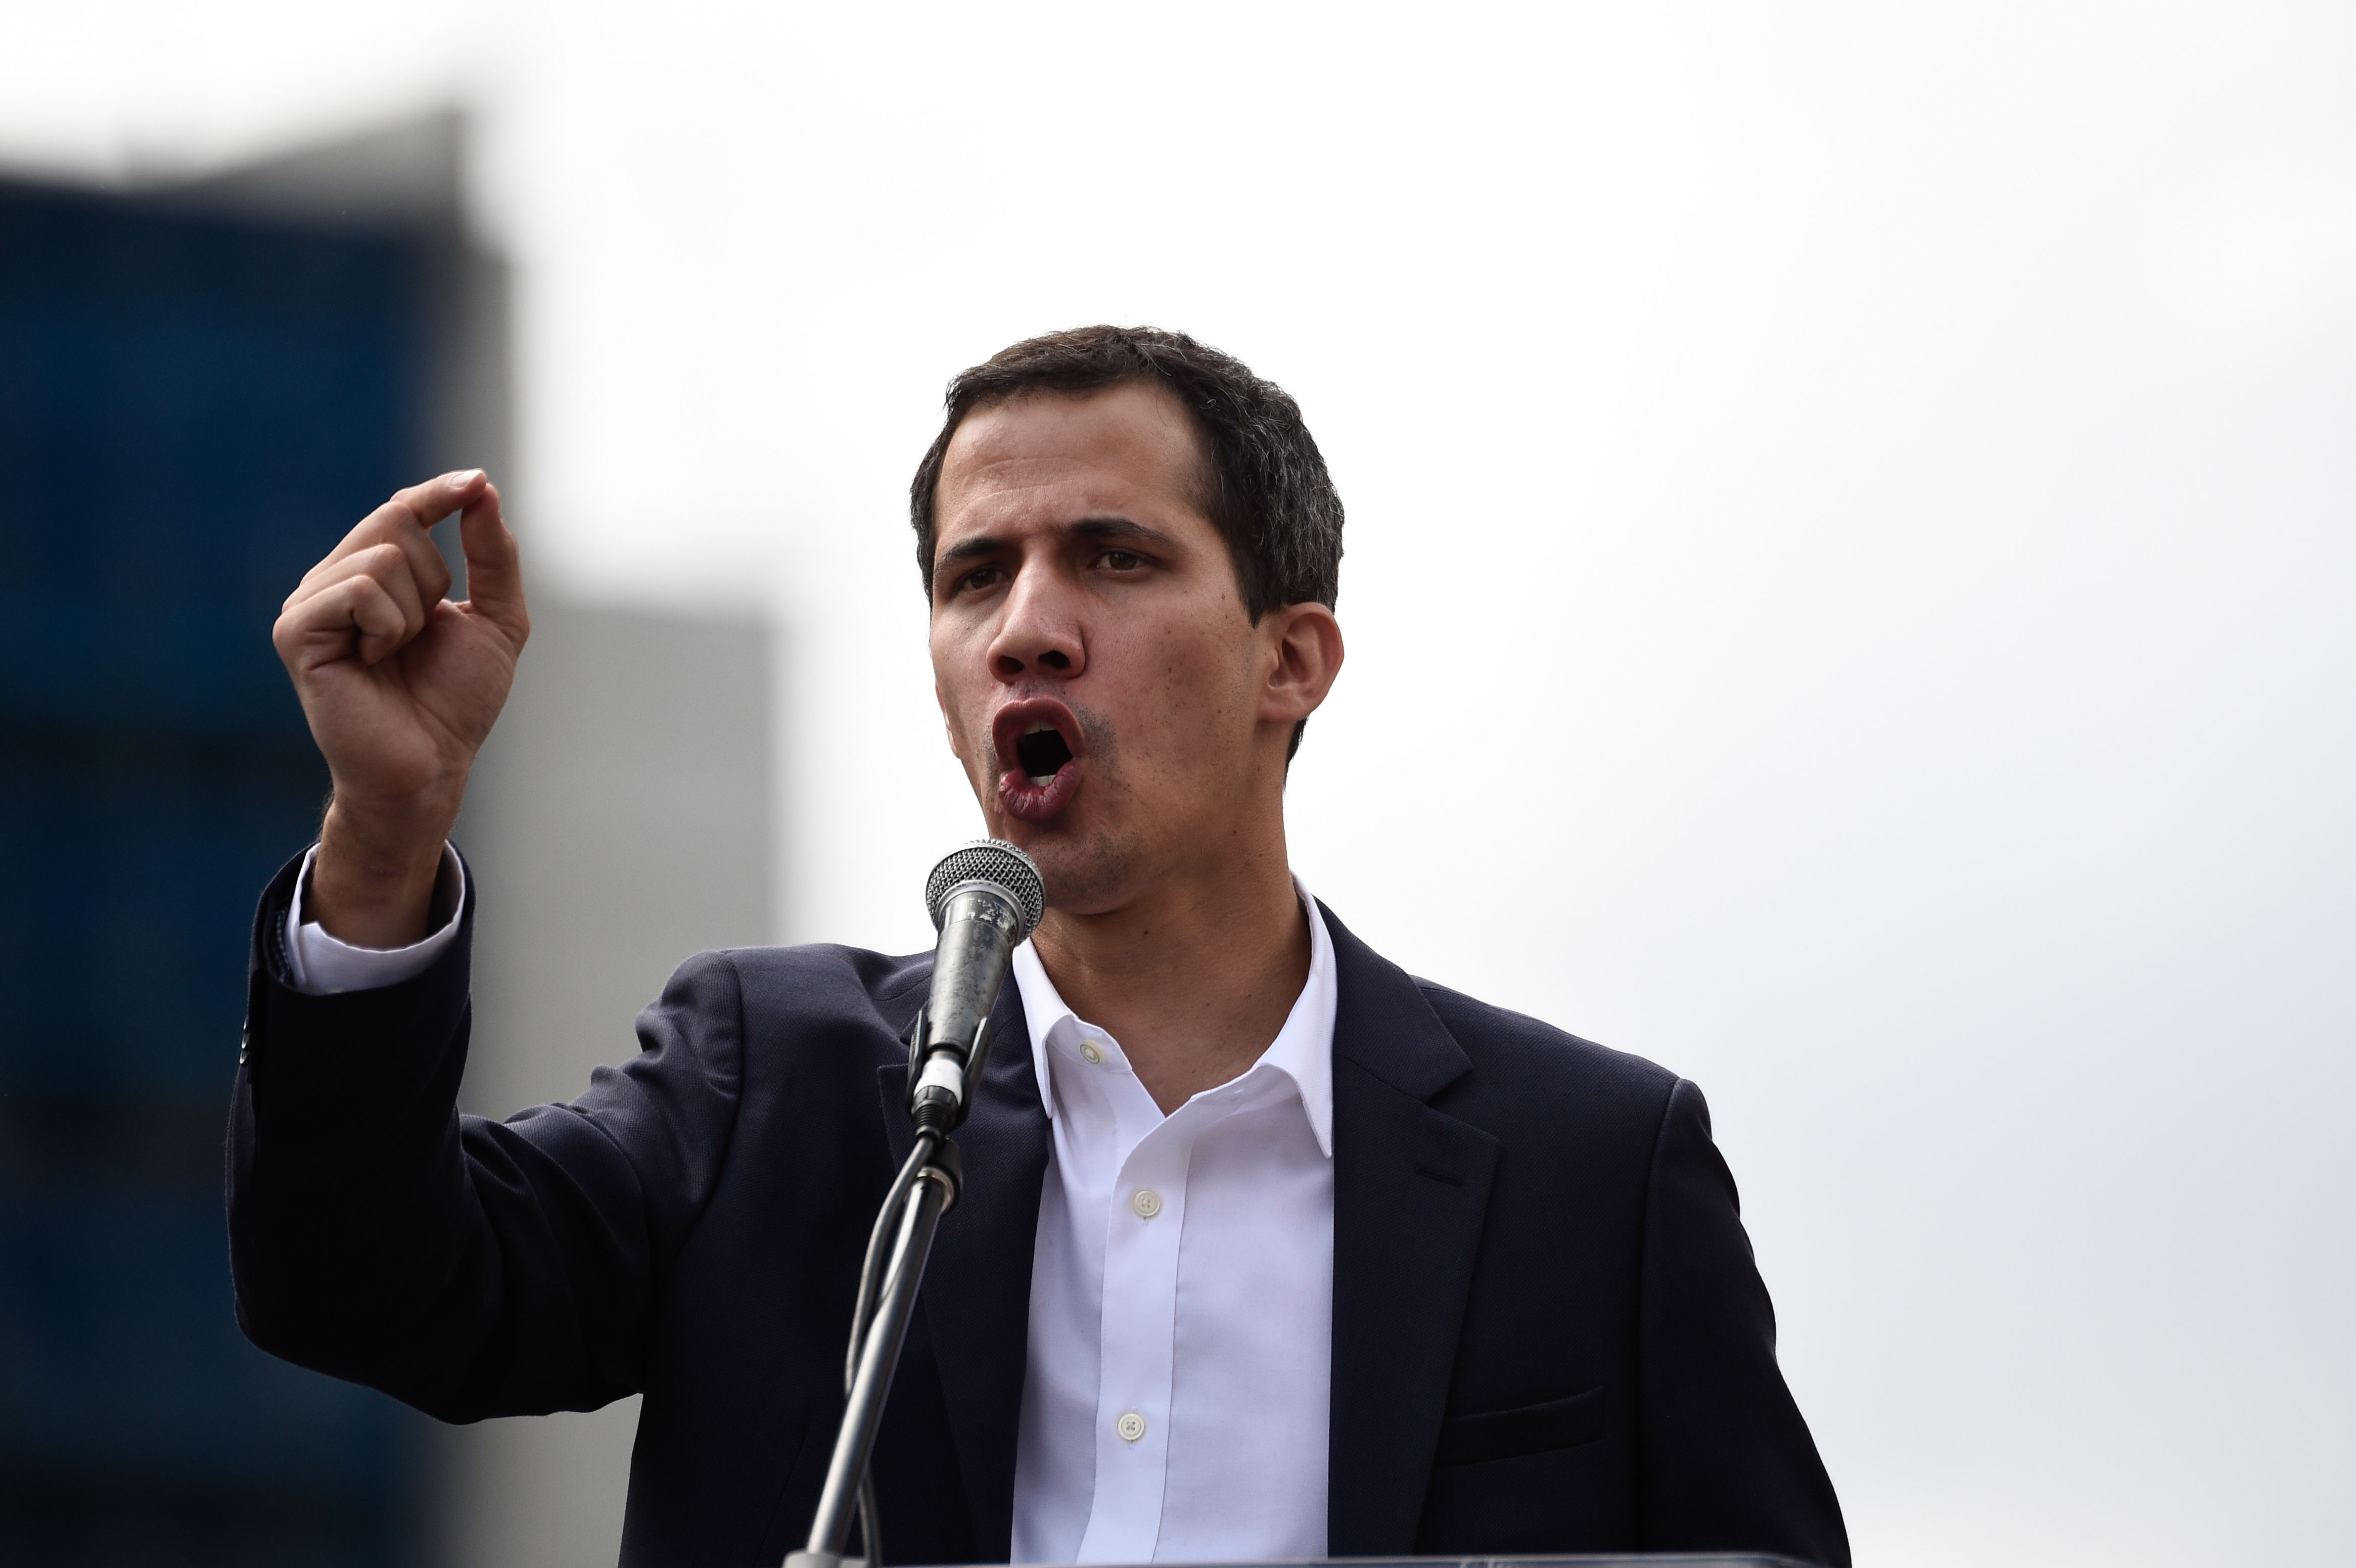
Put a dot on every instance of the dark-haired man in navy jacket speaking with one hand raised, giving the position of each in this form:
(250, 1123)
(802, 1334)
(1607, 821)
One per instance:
(1266, 1249)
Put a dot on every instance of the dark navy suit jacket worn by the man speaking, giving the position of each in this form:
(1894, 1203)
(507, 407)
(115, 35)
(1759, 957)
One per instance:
(1549, 1334)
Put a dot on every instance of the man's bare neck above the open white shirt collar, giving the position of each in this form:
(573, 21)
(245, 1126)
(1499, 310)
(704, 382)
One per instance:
(1193, 978)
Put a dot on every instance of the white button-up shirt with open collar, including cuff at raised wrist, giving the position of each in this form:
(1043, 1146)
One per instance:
(1182, 1315)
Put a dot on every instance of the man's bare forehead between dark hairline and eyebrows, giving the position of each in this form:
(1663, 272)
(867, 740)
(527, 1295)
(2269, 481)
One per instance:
(1057, 458)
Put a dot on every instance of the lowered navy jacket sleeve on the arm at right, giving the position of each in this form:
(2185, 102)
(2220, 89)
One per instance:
(1723, 1459)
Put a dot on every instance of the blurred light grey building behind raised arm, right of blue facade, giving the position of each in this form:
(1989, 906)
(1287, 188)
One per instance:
(618, 823)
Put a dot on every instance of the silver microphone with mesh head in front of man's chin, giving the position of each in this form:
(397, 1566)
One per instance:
(986, 901)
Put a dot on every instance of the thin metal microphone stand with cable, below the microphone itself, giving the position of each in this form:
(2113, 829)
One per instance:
(896, 1254)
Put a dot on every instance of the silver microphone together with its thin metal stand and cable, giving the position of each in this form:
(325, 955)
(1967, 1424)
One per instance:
(986, 901)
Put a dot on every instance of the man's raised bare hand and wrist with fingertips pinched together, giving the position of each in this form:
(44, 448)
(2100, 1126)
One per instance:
(402, 686)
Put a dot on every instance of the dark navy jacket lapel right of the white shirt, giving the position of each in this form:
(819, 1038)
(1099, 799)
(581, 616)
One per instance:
(1410, 1200)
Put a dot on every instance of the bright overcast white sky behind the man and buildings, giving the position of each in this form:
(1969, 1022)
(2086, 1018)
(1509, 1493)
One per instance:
(1853, 529)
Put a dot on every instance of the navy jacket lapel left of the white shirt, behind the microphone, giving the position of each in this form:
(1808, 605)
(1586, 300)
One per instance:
(977, 1287)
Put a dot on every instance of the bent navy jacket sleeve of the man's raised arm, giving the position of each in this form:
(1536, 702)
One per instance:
(468, 1268)
